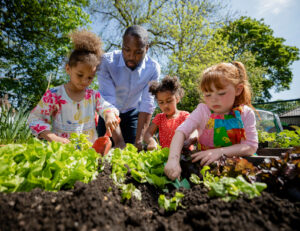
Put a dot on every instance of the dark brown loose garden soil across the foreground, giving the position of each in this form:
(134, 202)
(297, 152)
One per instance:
(98, 206)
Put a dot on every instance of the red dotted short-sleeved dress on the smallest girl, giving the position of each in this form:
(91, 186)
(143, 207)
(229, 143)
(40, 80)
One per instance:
(167, 127)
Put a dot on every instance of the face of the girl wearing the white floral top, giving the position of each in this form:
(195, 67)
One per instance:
(81, 75)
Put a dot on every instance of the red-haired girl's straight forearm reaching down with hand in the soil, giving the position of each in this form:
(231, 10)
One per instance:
(172, 168)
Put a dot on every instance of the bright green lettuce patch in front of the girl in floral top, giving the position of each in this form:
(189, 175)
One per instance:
(45, 165)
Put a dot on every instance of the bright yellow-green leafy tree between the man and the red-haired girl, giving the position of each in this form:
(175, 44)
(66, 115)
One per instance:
(194, 46)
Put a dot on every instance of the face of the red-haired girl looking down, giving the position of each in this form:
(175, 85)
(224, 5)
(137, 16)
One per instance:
(221, 100)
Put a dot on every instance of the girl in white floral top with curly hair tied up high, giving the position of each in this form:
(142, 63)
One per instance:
(70, 108)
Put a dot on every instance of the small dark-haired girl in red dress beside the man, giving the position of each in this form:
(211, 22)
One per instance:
(168, 93)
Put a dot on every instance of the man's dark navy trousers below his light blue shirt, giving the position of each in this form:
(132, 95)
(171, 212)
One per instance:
(128, 125)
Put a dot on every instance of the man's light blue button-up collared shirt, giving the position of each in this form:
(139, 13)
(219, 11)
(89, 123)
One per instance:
(127, 89)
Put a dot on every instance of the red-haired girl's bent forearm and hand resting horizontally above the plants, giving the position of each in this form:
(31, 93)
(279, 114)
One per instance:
(211, 155)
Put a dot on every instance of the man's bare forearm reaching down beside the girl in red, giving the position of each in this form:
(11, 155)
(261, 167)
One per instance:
(143, 123)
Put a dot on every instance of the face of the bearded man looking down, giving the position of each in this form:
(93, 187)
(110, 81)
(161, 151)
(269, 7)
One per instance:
(133, 51)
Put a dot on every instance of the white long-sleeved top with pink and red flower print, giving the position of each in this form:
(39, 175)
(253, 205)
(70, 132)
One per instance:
(58, 113)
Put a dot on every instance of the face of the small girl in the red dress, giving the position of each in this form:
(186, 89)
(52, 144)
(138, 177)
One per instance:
(167, 102)
